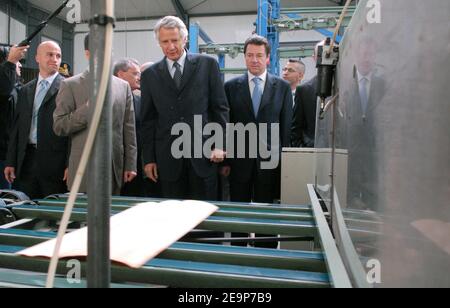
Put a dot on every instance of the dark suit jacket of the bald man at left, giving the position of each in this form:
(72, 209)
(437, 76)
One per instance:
(52, 152)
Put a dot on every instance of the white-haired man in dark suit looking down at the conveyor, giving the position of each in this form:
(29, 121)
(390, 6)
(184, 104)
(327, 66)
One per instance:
(175, 91)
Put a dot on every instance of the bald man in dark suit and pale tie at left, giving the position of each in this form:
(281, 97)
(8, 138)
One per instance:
(35, 154)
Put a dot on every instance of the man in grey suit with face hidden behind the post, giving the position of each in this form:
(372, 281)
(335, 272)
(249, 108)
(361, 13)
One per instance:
(71, 118)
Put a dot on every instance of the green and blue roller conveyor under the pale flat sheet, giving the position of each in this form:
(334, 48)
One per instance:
(190, 262)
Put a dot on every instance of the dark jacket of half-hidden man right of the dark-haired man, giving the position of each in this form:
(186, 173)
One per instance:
(305, 112)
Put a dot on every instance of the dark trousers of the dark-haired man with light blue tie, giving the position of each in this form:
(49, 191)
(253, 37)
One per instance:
(261, 188)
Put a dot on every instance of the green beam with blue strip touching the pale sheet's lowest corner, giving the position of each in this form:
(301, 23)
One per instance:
(186, 274)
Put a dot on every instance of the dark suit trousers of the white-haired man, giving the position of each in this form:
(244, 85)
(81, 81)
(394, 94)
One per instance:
(190, 185)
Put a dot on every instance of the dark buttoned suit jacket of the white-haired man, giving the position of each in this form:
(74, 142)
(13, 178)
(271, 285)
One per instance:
(163, 106)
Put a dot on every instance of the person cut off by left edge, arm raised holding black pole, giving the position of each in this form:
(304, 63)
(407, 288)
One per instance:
(9, 87)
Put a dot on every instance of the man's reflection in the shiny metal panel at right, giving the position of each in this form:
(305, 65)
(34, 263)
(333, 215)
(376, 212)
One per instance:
(361, 111)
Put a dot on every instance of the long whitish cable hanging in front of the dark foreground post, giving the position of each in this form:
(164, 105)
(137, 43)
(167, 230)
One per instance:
(88, 147)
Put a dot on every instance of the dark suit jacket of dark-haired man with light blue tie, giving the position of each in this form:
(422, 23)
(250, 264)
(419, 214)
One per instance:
(276, 107)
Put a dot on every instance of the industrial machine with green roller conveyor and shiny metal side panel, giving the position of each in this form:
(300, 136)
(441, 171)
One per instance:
(387, 117)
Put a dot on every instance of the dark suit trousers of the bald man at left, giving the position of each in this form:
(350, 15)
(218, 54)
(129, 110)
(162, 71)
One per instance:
(33, 184)
